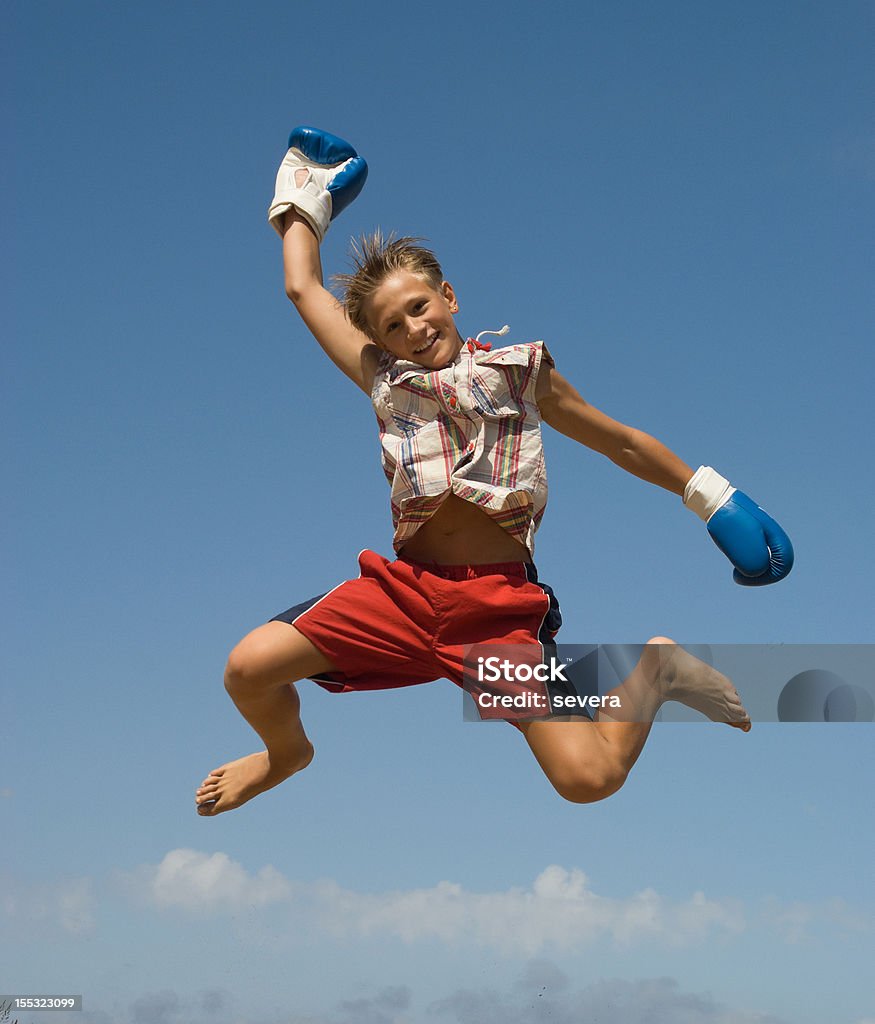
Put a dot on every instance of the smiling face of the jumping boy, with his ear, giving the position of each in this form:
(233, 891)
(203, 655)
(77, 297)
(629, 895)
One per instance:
(414, 321)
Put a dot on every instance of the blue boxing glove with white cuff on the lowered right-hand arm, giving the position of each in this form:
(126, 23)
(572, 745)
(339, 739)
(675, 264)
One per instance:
(754, 542)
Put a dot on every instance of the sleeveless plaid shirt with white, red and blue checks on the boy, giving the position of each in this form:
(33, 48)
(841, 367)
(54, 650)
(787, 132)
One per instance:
(472, 430)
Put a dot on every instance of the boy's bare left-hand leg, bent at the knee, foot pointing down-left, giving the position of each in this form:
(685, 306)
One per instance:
(260, 679)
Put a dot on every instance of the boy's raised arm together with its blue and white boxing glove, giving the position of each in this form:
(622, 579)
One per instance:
(320, 176)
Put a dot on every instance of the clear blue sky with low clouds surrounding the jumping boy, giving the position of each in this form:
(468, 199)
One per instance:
(678, 198)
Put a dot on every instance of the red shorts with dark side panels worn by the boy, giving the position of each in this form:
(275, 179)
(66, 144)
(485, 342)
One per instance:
(404, 623)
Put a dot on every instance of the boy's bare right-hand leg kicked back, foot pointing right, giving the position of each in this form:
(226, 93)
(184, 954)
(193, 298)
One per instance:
(589, 761)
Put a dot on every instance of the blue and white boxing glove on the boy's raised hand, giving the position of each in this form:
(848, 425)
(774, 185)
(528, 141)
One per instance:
(320, 177)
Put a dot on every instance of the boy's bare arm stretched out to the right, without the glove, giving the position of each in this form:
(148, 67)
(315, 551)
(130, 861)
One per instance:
(565, 410)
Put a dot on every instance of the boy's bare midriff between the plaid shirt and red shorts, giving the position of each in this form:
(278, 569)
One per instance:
(462, 534)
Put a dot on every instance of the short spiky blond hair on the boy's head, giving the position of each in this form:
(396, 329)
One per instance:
(374, 259)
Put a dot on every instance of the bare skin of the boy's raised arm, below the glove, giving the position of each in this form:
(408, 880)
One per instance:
(351, 351)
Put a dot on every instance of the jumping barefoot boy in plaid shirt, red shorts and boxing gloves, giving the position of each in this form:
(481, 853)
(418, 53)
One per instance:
(462, 448)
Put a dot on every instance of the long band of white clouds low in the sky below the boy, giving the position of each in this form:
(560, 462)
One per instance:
(560, 909)
